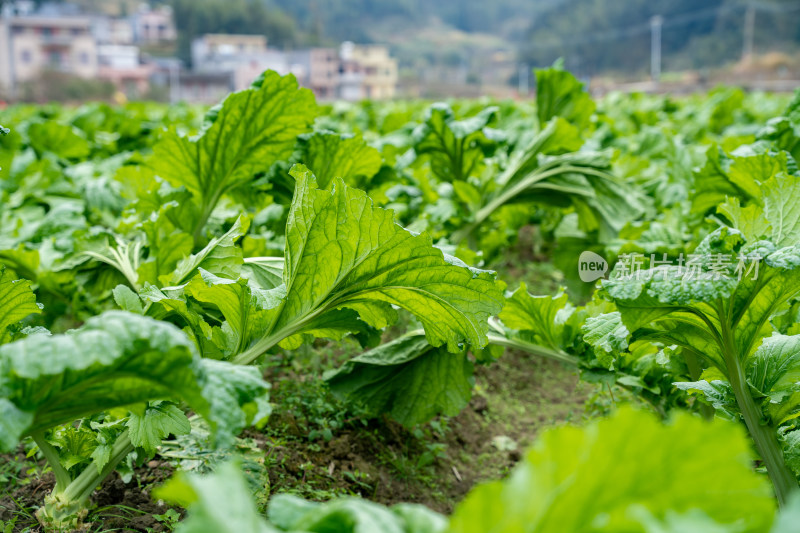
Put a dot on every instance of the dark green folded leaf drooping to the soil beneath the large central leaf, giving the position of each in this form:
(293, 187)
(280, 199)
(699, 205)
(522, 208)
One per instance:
(408, 379)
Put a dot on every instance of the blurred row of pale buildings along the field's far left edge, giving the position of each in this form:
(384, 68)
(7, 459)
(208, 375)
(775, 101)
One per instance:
(40, 37)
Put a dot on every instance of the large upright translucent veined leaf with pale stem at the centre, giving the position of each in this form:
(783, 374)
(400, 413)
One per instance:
(342, 252)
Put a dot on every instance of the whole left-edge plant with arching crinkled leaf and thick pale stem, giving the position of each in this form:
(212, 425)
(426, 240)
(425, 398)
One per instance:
(116, 359)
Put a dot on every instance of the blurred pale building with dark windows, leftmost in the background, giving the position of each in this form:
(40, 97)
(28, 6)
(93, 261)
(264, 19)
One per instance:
(30, 44)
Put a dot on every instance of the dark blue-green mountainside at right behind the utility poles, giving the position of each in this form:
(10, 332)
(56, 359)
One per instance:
(598, 36)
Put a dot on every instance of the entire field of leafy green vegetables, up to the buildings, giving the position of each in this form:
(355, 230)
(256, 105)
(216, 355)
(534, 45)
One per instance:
(553, 315)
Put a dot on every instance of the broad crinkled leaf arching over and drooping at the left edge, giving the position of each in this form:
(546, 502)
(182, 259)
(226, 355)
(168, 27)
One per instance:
(117, 359)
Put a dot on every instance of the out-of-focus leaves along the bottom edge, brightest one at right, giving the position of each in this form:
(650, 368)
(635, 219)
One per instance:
(655, 468)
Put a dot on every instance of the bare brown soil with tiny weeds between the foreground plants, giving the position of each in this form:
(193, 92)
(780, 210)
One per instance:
(514, 399)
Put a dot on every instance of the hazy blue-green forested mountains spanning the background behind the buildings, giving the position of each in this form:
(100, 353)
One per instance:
(594, 36)
